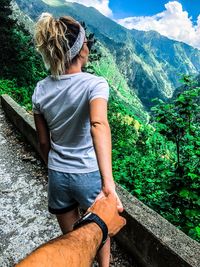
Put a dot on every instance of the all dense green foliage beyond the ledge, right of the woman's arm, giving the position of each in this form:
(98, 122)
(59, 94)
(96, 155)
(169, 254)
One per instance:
(159, 162)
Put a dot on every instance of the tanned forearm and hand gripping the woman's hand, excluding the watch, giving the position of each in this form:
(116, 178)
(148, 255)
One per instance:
(78, 248)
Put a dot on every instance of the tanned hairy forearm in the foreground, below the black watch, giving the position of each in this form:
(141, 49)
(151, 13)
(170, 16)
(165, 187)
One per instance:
(77, 249)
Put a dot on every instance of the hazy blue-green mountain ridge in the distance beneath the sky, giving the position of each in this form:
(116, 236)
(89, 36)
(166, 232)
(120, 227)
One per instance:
(150, 63)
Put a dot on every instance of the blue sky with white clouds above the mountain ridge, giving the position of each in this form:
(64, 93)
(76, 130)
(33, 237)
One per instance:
(178, 20)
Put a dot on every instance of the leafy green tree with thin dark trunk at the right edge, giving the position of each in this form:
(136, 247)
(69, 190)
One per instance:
(179, 122)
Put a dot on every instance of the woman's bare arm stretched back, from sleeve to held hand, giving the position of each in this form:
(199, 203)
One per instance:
(101, 135)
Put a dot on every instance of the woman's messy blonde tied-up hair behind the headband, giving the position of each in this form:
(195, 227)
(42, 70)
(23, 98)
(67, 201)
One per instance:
(53, 39)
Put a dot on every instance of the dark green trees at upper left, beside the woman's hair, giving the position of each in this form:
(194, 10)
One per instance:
(18, 58)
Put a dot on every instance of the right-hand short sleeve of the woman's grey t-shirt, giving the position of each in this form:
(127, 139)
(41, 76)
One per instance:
(99, 89)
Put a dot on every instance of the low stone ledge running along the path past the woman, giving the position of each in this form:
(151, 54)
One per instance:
(148, 237)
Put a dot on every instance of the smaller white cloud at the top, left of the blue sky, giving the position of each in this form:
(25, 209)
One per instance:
(101, 5)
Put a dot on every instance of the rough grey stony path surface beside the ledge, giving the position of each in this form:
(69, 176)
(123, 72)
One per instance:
(25, 222)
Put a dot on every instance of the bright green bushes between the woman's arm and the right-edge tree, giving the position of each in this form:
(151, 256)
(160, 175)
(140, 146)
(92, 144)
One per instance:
(141, 163)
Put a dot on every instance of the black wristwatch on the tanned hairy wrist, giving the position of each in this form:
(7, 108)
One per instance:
(92, 217)
